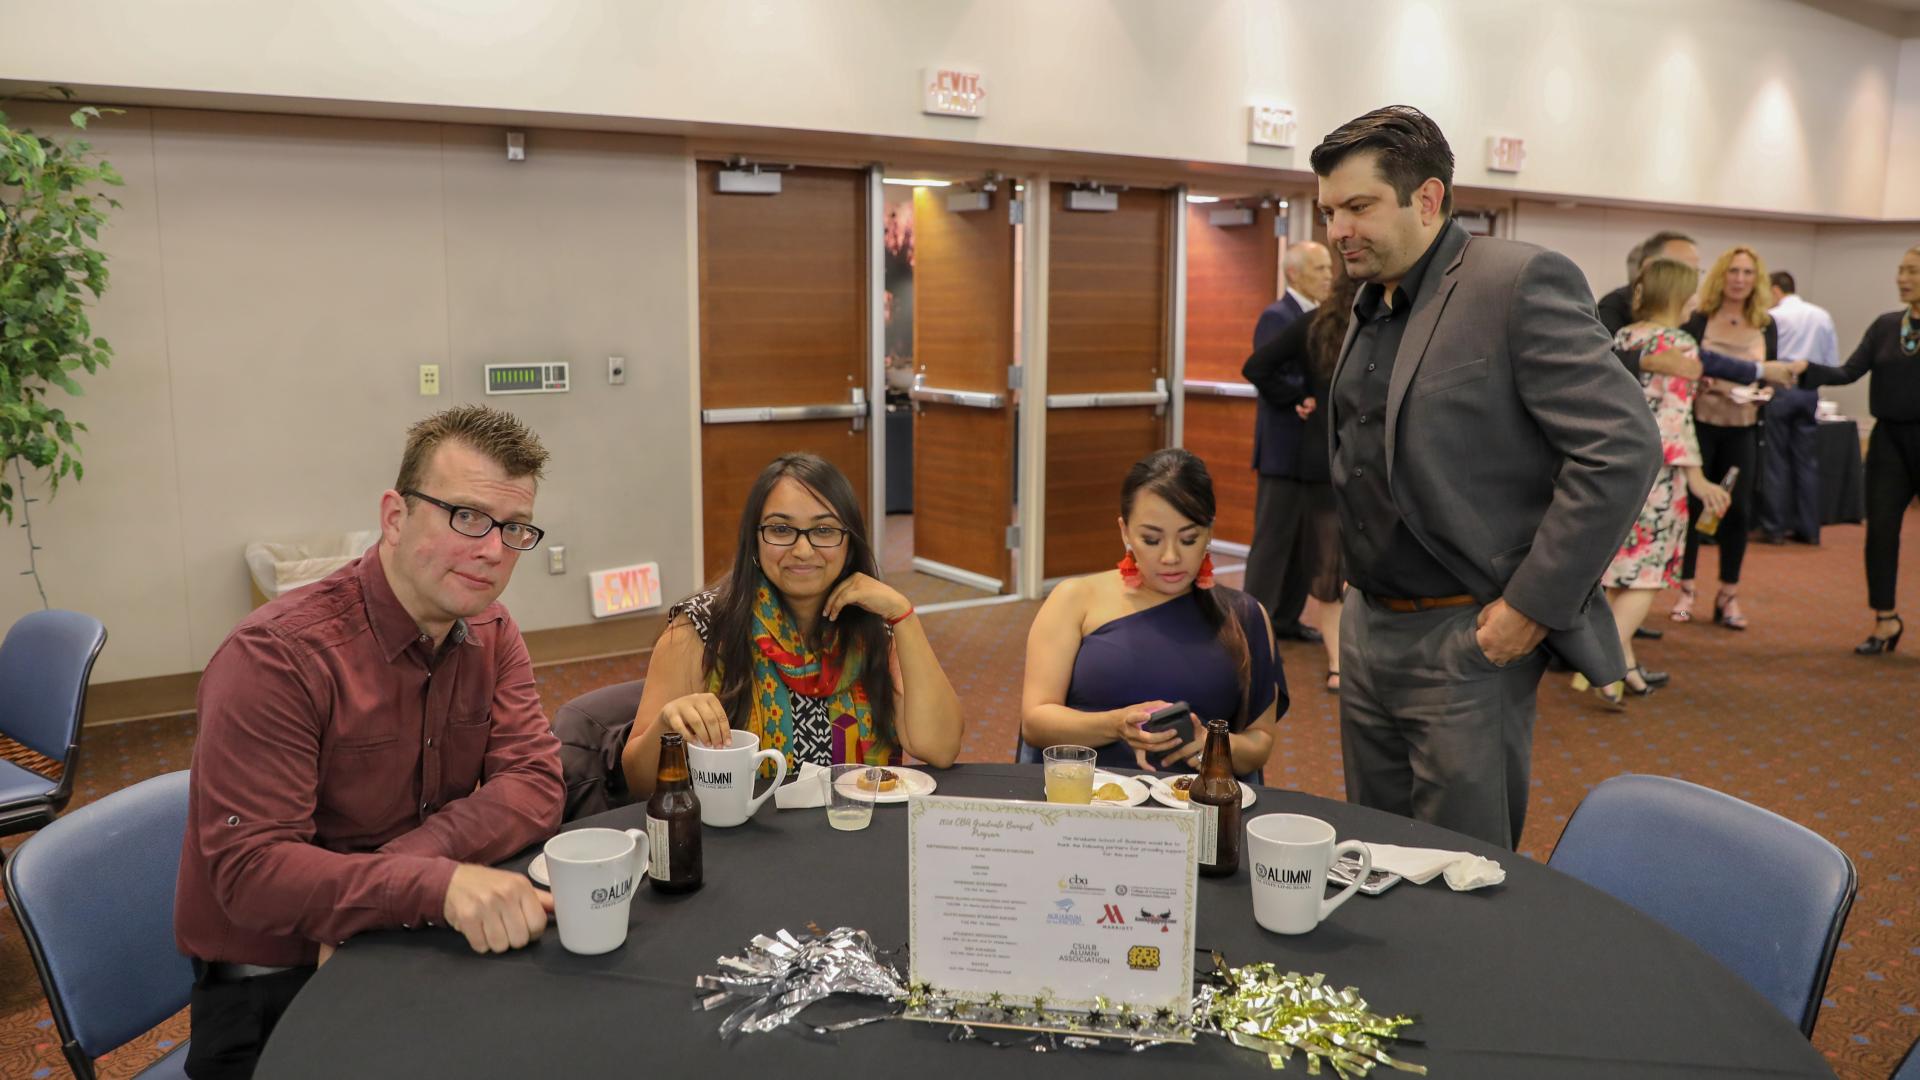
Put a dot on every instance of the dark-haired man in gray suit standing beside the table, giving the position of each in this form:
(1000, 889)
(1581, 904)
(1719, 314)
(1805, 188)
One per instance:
(1489, 458)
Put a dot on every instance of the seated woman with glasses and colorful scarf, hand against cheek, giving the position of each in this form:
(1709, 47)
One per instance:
(802, 645)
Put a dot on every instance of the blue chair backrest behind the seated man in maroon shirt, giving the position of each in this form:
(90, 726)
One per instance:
(95, 900)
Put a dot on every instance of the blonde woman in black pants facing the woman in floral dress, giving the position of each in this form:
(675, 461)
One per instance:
(1733, 320)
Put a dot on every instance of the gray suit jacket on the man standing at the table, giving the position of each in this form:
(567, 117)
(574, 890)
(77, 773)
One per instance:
(1518, 449)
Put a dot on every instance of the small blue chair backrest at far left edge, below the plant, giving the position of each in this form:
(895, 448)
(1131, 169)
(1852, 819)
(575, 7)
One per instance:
(45, 664)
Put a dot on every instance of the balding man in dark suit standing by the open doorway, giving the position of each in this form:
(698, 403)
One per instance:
(1276, 564)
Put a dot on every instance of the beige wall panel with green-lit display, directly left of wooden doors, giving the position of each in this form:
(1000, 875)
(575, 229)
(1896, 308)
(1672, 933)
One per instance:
(579, 255)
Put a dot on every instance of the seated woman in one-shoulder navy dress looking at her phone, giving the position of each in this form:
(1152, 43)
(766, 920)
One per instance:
(1111, 649)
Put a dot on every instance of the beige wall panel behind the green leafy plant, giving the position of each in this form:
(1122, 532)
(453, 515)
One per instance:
(112, 543)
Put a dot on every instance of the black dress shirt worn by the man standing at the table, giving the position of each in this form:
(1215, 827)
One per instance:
(1383, 558)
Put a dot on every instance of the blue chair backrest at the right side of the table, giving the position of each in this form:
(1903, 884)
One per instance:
(1760, 893)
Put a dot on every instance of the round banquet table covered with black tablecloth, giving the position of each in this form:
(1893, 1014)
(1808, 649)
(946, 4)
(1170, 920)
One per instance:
(1539, 977)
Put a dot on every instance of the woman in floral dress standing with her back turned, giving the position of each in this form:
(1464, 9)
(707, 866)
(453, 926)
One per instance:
(1650, 558)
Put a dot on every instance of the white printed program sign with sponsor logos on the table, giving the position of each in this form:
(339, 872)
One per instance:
(1047, 900)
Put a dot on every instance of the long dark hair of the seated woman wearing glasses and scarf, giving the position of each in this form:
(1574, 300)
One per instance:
(731, 639)
